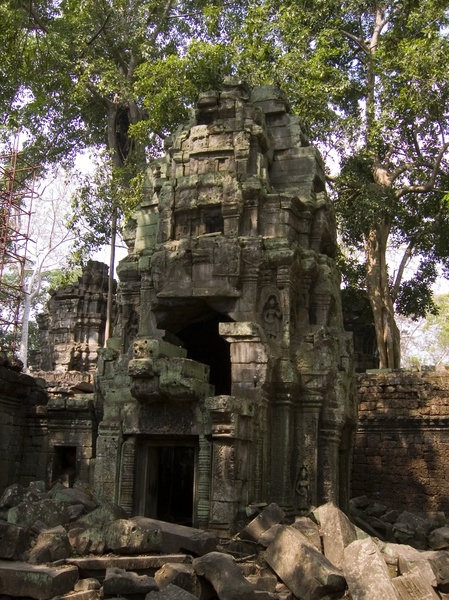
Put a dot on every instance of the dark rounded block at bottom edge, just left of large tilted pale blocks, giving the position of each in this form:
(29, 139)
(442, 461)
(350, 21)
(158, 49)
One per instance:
(224, 575)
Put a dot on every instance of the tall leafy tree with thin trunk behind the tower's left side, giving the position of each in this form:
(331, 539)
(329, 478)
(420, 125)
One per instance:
(72, 75)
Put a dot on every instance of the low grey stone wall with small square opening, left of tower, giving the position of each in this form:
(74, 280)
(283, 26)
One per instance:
(48, 428)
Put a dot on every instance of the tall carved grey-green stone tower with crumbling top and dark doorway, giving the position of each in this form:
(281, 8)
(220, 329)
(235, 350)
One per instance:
(228, 379)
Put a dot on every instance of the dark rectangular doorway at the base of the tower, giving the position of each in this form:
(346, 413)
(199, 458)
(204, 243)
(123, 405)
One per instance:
(166, 477)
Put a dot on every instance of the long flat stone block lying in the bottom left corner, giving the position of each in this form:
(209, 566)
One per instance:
(36, 581)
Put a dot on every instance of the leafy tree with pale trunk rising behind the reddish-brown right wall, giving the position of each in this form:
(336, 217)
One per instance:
(367, 77)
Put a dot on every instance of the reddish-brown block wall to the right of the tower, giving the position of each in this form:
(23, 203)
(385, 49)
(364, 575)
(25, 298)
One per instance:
(402, 441)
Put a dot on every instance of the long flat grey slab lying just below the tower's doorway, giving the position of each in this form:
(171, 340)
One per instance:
(179, 538)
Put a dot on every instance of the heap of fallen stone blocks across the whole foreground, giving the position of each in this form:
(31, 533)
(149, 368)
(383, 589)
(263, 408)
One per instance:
(62, 544)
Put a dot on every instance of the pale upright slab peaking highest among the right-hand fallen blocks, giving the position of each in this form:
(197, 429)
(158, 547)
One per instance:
(336, 530)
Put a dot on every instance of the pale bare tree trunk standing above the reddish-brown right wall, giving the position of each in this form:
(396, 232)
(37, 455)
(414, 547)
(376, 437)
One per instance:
(379, 293)
